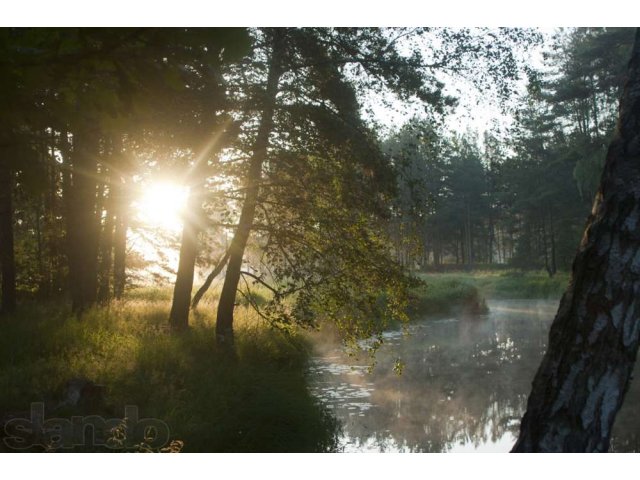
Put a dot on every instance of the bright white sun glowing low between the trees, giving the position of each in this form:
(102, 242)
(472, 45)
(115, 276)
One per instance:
(161, 205)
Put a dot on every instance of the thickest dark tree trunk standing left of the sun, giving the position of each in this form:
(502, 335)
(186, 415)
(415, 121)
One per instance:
(82, 234)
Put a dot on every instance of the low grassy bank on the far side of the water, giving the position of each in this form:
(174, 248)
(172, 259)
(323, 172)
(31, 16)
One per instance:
(449, 292)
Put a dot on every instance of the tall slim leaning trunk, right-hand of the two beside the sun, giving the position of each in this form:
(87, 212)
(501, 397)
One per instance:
(224, 320)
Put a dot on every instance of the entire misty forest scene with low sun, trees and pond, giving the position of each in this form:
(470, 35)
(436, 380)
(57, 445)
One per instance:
(318, 240)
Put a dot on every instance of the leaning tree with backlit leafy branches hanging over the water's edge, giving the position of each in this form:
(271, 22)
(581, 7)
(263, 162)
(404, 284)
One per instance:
(309, 85)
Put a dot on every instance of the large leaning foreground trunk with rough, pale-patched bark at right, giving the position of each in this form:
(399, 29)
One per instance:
(593, 341)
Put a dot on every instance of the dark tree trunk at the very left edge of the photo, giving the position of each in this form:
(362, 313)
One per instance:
(7, 254)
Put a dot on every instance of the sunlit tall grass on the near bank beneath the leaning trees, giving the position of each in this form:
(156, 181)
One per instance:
(255, 402)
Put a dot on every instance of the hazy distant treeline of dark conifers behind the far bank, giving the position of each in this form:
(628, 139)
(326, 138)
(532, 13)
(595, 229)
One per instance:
(521, 196)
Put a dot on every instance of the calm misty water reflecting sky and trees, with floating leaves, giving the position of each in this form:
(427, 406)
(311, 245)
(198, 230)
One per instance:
(463, 388)
